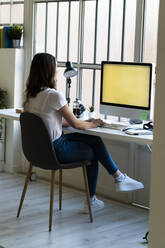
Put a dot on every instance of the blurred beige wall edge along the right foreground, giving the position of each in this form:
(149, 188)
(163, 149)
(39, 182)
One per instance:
(157, 213)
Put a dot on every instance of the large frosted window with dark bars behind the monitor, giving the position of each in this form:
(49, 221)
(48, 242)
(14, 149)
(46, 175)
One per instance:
(89, 31)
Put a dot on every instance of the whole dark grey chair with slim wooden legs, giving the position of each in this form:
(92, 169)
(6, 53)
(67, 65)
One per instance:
(39, 151)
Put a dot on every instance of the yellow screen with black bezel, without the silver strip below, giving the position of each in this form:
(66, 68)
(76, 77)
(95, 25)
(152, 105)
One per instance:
(127, 84)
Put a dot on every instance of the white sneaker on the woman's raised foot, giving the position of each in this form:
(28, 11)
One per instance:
(128, 184)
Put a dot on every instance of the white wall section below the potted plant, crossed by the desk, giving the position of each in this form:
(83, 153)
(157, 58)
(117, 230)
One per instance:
(12, 80)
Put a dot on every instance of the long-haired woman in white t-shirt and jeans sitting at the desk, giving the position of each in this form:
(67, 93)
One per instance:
(43, 99)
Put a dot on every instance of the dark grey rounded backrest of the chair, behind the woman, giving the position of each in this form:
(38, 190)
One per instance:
(36, 142)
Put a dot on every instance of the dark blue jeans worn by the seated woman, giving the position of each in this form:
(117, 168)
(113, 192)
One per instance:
(77, 146)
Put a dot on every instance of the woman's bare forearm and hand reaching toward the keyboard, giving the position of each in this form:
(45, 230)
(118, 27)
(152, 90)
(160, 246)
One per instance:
(76, 123)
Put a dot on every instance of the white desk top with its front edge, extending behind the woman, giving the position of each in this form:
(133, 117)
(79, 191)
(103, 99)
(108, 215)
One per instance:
(103, 132)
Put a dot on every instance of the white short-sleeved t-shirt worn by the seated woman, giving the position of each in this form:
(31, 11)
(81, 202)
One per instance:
(46, 104)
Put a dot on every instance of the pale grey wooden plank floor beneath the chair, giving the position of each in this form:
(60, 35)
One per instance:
(116, 226)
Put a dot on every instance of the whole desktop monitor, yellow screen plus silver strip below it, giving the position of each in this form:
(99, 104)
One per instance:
(126, 89)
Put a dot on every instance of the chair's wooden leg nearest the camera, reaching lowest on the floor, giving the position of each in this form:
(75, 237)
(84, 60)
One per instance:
(51, 199)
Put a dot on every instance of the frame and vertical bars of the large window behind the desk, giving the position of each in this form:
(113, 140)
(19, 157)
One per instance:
(138, 47)
